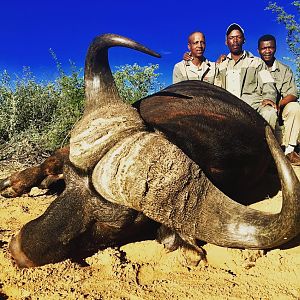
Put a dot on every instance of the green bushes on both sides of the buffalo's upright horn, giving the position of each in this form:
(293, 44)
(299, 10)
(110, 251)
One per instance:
(37, 117)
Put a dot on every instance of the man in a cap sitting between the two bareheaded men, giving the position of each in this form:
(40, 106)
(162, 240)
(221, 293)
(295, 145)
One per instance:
(247, 76)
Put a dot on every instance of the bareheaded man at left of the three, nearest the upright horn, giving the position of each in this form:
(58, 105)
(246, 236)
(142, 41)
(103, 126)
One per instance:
(198, 67)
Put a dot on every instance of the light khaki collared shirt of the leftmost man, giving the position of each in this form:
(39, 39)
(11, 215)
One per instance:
(186, 70)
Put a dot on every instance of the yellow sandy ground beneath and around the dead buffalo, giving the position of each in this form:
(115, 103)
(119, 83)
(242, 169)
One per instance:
(145, 270)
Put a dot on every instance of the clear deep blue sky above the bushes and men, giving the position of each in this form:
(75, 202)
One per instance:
(29, 28)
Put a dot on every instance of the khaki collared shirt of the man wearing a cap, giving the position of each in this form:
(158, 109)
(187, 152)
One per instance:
(254, 82)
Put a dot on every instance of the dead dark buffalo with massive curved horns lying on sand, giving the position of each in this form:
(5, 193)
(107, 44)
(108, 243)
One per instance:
(125, 170)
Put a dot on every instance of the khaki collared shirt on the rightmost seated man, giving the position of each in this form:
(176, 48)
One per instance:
(284, 80)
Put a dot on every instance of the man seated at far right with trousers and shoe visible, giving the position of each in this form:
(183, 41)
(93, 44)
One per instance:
(288, 107)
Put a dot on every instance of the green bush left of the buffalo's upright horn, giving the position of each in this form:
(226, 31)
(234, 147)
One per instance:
(37, 116)
